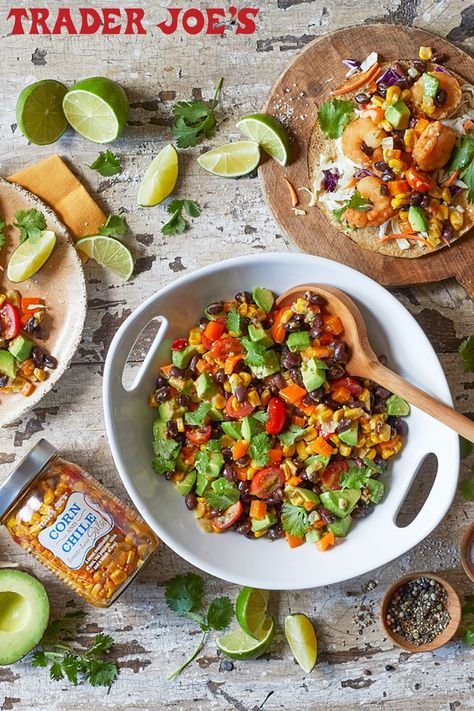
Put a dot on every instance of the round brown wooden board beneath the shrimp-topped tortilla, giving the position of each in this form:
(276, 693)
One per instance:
(295, 99)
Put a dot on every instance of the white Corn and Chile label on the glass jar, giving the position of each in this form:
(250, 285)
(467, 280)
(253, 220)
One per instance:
(76, 530)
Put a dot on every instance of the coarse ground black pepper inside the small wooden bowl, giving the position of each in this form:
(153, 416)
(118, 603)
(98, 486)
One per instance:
(417, 610)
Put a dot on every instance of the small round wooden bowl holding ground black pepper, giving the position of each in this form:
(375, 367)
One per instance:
(453, 605)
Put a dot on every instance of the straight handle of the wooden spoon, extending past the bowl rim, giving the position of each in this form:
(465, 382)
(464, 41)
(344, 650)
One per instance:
(437, 409)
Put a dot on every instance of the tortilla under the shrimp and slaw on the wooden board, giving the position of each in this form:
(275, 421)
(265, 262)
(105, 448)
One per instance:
(367, 237)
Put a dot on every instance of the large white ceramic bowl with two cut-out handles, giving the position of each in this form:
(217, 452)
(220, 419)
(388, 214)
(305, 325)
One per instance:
(373, 541)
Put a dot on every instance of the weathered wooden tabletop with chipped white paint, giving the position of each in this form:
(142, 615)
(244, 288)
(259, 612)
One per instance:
(357, 664)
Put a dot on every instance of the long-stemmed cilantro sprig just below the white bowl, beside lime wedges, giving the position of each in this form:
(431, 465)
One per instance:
(184, 595)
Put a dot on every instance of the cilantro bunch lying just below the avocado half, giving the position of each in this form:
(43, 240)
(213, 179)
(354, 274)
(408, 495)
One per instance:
(72, 662)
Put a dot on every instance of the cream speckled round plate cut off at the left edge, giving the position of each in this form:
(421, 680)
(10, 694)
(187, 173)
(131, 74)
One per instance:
(60, 282)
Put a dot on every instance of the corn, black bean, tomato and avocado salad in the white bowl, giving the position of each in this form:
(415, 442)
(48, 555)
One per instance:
(262, 431)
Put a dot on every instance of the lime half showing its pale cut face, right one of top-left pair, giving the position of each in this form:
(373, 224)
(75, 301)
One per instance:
(97, 108)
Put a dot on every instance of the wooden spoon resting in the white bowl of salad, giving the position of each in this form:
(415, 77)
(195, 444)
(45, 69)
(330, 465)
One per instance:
(363, 361)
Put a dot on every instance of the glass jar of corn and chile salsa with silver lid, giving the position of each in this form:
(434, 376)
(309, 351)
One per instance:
(74, 526)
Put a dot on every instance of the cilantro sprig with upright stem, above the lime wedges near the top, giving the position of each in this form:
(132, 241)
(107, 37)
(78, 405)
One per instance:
(195, 120)
